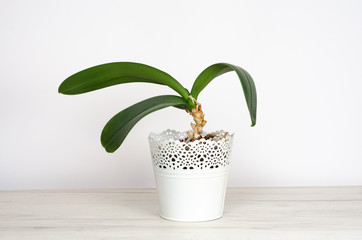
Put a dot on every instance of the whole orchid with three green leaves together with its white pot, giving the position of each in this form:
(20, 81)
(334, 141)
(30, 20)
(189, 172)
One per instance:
(190, 167)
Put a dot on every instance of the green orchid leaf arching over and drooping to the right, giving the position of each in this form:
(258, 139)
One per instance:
(246, 81)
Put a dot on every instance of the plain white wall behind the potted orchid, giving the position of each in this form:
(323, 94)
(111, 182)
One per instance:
(305, 57)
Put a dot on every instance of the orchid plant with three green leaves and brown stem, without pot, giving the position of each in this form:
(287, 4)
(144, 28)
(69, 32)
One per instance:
(118, 127)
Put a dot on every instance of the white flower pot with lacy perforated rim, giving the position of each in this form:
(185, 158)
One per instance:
(190, 177)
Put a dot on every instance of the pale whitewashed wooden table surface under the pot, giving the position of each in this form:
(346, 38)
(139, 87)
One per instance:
(250, 213)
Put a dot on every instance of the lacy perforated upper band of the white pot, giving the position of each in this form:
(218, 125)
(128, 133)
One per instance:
(170, 152)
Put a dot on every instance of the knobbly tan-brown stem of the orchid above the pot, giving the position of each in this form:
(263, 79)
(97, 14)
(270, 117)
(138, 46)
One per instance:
(197, 127)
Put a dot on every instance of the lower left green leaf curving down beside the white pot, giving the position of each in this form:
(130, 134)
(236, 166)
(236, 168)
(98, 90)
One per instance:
(121, 124)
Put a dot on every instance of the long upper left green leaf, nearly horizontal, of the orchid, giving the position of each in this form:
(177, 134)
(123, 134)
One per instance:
(110, 74)
